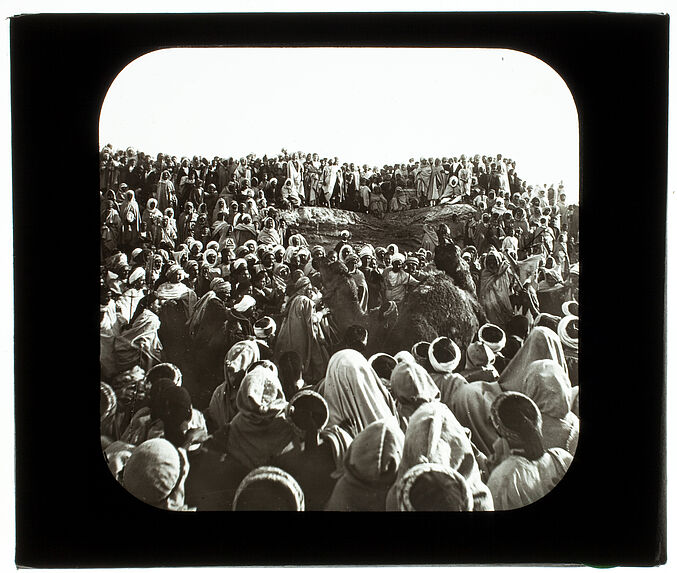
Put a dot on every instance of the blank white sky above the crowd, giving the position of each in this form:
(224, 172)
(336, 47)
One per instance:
(363, 105)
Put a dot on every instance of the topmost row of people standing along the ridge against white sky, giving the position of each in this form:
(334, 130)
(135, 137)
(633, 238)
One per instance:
(292, 180)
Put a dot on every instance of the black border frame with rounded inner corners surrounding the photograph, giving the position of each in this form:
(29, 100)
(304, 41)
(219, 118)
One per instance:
(610, 507)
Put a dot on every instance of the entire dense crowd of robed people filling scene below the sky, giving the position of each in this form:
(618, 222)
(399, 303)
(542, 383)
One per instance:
(226, 382)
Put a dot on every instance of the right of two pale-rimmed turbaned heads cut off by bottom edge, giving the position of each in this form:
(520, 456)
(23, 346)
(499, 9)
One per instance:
(433, 487)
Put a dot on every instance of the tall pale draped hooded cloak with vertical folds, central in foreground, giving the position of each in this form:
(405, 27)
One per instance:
(354, 392)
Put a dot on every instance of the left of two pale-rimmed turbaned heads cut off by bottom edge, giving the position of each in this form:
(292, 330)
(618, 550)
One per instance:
(269, 488)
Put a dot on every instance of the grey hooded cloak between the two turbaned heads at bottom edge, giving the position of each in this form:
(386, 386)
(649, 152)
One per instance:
(370, 467)
